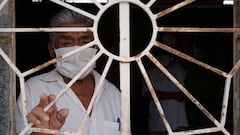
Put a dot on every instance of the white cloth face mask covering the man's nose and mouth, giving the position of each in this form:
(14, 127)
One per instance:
(71, 65)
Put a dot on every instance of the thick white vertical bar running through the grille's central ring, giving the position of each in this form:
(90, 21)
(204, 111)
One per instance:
(124, 20)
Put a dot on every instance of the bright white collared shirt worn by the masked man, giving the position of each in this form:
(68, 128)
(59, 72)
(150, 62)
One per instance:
(104, 116)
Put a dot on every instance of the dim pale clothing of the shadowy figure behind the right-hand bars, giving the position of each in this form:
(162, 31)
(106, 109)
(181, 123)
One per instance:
(174, 110)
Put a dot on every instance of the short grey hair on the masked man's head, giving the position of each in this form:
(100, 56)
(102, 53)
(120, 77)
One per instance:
(67, 16)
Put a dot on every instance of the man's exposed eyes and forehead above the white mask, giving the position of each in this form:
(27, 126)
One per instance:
(68, 39)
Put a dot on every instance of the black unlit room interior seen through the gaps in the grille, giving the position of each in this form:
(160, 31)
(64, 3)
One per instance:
(214, 49)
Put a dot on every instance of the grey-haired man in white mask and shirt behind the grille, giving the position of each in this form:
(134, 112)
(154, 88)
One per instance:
(69, 111)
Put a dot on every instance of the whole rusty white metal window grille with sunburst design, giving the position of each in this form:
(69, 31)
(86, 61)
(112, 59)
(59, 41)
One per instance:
(125, 59)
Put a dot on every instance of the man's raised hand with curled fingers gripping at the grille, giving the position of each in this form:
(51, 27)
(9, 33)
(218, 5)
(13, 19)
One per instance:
(51, 119)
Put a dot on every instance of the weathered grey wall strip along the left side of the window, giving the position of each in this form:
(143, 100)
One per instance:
(7, 79)
